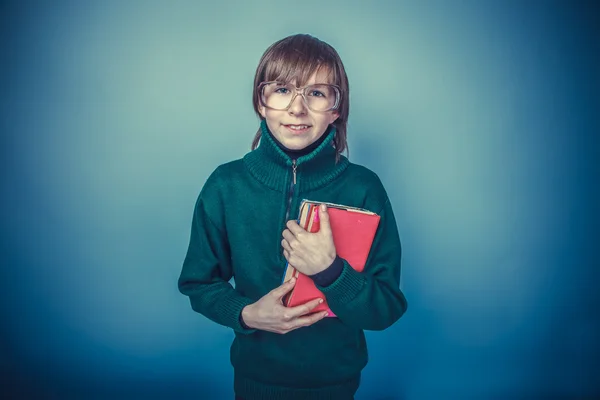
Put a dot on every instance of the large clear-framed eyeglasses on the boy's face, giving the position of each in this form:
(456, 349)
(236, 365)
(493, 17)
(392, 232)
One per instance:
(279, 96)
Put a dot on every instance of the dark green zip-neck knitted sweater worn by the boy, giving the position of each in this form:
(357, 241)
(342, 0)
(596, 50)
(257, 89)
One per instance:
(236, 232)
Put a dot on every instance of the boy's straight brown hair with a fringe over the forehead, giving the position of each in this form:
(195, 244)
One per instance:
(299, 57)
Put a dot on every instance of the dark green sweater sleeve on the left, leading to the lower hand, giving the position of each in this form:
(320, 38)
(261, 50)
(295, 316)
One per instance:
(206, 273)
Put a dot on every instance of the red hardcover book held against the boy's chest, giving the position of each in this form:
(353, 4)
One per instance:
(353, 233)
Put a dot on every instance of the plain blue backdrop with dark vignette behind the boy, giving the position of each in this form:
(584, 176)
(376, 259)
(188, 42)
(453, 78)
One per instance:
(481, 118)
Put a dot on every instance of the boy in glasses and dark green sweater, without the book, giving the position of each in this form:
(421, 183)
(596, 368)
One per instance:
(243, 227)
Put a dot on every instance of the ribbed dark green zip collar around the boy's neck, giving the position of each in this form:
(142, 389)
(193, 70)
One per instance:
(272, 166)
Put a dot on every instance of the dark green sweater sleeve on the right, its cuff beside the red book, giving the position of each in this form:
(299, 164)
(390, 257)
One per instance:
(371, 299)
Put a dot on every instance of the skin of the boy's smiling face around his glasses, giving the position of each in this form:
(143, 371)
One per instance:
(298, 126)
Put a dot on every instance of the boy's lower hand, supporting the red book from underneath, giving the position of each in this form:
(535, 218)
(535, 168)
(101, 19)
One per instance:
(269, 313)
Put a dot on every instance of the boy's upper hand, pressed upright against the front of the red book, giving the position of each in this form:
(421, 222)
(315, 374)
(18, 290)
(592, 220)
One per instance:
(309, 253)
